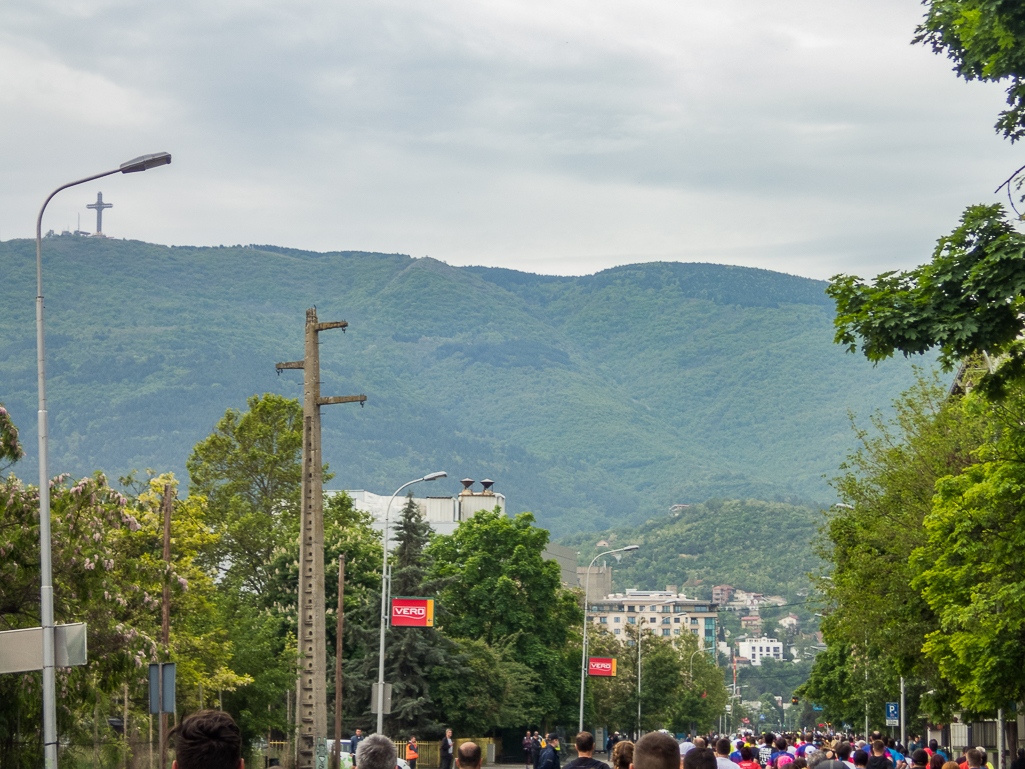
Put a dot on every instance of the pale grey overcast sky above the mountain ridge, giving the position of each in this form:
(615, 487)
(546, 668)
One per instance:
(562, 137)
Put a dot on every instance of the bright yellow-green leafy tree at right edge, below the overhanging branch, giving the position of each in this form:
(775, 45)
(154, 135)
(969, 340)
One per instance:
(972, 568)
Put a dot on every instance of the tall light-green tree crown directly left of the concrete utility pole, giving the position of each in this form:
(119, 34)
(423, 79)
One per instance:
(250, 470)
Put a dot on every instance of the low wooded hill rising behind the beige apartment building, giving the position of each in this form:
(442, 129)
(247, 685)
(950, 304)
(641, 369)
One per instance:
(753, 545)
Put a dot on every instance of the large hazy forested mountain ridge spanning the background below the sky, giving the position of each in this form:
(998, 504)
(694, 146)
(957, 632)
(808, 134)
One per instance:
(593, 401)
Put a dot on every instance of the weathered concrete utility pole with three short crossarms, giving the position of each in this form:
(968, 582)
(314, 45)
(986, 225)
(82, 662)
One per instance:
(311, 703)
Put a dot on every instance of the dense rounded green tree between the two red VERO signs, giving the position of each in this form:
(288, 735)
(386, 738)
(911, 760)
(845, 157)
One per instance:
(501, 588)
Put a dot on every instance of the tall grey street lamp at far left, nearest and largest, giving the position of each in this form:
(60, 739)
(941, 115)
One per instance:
(141, 164)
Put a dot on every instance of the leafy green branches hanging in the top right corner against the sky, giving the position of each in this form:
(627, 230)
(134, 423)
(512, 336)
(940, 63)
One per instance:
(987, 42)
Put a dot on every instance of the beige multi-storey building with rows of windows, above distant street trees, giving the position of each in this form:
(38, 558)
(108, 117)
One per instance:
(664, 613)
